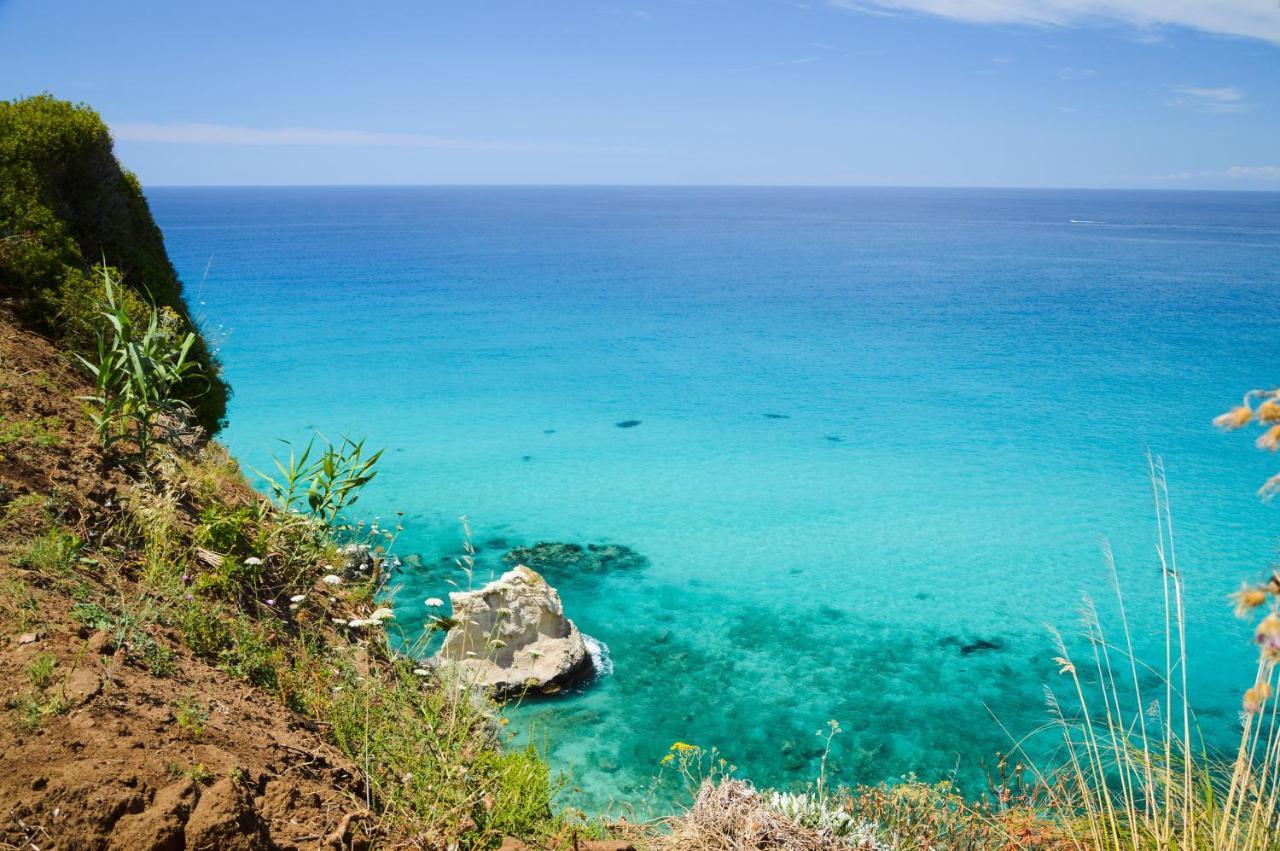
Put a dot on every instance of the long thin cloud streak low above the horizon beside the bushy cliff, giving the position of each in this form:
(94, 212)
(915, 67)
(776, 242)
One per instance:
(316, 138)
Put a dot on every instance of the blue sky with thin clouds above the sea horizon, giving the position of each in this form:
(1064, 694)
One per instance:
(1110, 94)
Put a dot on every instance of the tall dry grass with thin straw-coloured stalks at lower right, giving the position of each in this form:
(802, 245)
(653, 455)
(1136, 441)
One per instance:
(1135, 771)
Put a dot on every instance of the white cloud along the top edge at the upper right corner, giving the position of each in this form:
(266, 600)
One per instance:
(1249, 19)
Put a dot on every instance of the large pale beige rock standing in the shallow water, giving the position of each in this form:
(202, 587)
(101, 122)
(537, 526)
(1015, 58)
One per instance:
(513, 637)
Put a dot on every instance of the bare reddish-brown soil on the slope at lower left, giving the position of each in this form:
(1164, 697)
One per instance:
(116, 768)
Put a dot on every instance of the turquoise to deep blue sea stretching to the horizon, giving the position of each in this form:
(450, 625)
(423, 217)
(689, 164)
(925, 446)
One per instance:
(877, 429)
